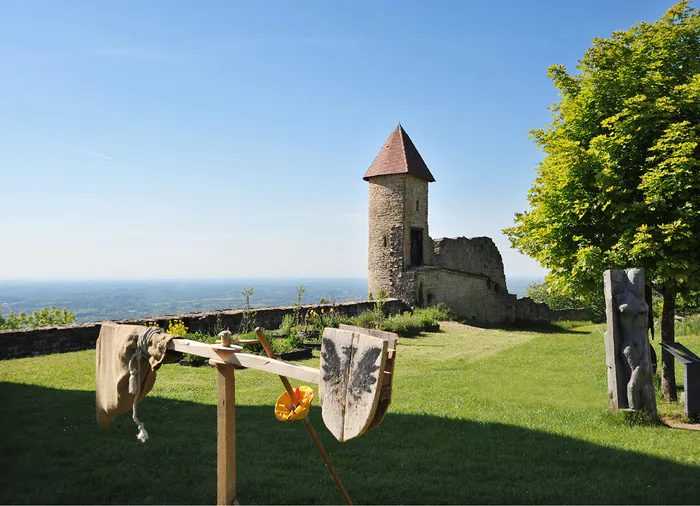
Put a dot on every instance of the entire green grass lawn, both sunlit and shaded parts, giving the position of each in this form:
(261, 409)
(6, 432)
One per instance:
(478, 416)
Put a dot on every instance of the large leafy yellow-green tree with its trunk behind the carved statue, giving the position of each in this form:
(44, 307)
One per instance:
(620, 182)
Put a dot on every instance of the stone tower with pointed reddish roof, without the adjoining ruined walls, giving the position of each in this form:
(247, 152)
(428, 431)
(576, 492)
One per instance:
(398, 215)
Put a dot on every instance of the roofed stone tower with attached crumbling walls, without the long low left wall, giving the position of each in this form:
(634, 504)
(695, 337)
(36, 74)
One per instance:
(405, 262)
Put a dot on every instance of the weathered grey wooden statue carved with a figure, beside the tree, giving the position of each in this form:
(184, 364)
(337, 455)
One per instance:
(627, 347)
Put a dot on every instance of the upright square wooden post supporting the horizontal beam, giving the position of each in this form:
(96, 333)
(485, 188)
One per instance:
(226, 437)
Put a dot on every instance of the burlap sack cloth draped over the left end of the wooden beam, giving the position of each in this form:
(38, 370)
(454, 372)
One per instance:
(115, 347)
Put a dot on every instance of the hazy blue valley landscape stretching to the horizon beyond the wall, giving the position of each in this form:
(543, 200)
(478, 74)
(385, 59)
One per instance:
(113, 300)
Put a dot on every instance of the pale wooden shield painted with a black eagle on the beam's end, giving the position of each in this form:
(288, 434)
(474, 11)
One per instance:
(352, 374)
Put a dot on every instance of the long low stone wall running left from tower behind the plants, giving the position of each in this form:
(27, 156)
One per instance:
(82, 336)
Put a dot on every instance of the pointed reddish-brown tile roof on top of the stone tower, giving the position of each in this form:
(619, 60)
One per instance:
(399, 156)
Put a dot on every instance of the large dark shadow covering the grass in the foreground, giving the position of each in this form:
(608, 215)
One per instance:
(53, 452)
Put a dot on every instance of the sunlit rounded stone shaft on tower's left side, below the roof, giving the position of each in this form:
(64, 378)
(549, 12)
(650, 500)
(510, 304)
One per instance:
(386, 231)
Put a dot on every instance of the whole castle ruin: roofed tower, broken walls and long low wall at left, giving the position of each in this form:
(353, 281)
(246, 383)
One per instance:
(404, 261)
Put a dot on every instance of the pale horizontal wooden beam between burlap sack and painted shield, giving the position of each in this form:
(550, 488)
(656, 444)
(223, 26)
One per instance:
(233, 356)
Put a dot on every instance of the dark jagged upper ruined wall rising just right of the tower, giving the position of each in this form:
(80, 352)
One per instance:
(478, 256)
